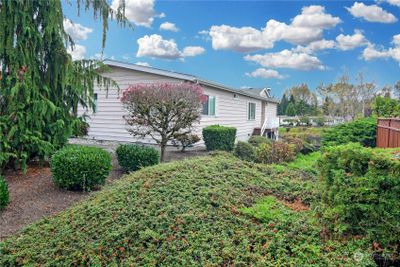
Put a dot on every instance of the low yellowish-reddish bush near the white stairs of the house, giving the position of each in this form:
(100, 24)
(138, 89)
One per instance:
(277, 152)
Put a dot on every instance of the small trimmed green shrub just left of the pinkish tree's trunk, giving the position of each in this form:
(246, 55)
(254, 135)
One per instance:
(133, 157)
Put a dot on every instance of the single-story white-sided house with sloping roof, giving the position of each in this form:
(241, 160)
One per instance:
(251, 111)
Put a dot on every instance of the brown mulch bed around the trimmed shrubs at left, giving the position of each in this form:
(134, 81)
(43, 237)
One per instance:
(34, 195)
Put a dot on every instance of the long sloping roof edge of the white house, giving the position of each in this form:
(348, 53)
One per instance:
(186, 77)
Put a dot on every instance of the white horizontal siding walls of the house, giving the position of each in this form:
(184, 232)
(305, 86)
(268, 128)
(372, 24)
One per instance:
(108, 123)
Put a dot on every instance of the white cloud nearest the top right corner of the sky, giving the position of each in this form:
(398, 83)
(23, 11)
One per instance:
(372, 13)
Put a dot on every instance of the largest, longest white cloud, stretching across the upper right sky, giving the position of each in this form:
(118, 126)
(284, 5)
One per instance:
(304, 28)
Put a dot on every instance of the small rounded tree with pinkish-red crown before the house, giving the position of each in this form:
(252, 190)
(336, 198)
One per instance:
(162, 111)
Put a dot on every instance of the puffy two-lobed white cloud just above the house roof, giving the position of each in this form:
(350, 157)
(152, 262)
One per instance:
(155, 46)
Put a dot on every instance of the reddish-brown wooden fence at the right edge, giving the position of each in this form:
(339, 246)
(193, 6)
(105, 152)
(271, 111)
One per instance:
(388, 133)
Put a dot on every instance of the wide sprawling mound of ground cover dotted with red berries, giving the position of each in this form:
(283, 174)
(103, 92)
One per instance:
(189, 213)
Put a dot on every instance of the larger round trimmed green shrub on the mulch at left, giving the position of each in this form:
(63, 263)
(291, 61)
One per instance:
(80, 167)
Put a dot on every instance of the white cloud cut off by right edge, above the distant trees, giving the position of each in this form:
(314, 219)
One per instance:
(371, 52)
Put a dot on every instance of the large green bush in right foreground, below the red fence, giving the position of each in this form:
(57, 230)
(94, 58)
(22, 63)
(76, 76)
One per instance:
(360, 191)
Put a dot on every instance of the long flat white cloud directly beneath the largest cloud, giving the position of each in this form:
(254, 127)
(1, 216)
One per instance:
(287, 59)
